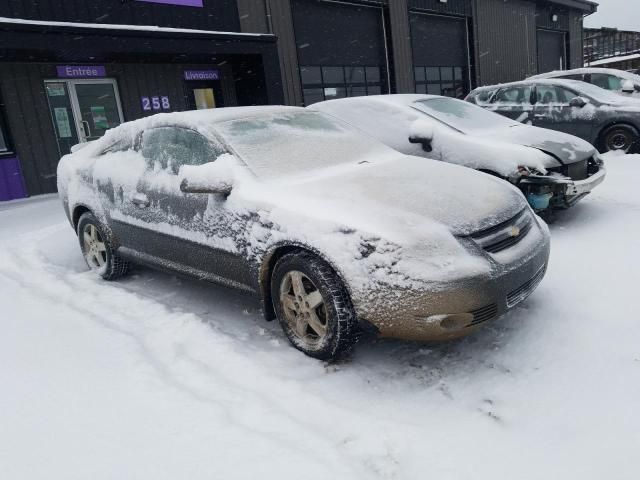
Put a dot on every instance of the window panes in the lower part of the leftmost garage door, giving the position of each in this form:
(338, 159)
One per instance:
(327, 83)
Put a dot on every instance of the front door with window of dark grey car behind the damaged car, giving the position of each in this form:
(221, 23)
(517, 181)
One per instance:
(553, 110)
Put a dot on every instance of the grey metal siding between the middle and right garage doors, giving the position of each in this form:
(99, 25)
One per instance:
(505, 40)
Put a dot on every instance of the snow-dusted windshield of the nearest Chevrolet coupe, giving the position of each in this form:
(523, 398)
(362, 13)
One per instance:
(286, 144)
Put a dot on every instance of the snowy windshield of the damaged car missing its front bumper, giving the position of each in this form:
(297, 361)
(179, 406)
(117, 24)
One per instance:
(463, 116)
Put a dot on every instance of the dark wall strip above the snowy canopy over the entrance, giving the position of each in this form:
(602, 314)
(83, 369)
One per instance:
(215, 15)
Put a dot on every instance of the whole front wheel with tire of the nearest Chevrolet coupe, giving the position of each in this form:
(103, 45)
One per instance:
(313, 306)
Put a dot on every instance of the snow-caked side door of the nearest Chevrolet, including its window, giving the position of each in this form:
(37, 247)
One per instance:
(181, 231)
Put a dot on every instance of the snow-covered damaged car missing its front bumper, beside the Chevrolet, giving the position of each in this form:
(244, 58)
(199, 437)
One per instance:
(552, 169)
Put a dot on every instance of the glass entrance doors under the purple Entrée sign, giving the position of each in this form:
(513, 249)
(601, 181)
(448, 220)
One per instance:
(82, 110)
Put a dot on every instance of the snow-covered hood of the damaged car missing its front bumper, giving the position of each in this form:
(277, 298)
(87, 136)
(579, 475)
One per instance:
(564, 147)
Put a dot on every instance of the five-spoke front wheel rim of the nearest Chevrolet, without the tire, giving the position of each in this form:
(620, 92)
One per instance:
(304, 308)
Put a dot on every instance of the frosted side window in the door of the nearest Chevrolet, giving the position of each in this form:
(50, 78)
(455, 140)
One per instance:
(168, 148)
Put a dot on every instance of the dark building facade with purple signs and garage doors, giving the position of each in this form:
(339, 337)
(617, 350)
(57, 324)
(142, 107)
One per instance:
(70, 70)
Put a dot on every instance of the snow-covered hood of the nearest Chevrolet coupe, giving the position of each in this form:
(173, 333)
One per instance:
(413, 193)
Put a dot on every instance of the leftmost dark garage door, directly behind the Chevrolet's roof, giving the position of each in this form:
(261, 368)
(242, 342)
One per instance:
(341, 50)
